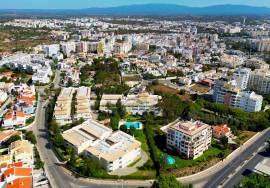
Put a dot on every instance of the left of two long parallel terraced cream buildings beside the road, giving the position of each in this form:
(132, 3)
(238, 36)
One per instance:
(62, 110)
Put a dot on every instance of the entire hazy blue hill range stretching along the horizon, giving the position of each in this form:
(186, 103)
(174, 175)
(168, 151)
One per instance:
(151, 10)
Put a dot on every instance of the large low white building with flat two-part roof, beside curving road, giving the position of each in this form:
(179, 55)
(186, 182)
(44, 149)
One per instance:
(113, 150)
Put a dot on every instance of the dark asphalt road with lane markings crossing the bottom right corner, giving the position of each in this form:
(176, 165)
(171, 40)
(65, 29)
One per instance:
(219, 177)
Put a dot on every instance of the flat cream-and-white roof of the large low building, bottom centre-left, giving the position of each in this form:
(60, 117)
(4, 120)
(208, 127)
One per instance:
(101, 141)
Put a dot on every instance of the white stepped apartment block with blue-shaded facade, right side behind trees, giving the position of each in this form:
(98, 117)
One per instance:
(227, 92)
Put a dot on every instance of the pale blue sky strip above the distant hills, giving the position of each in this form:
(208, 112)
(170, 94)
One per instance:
(78, 4)
